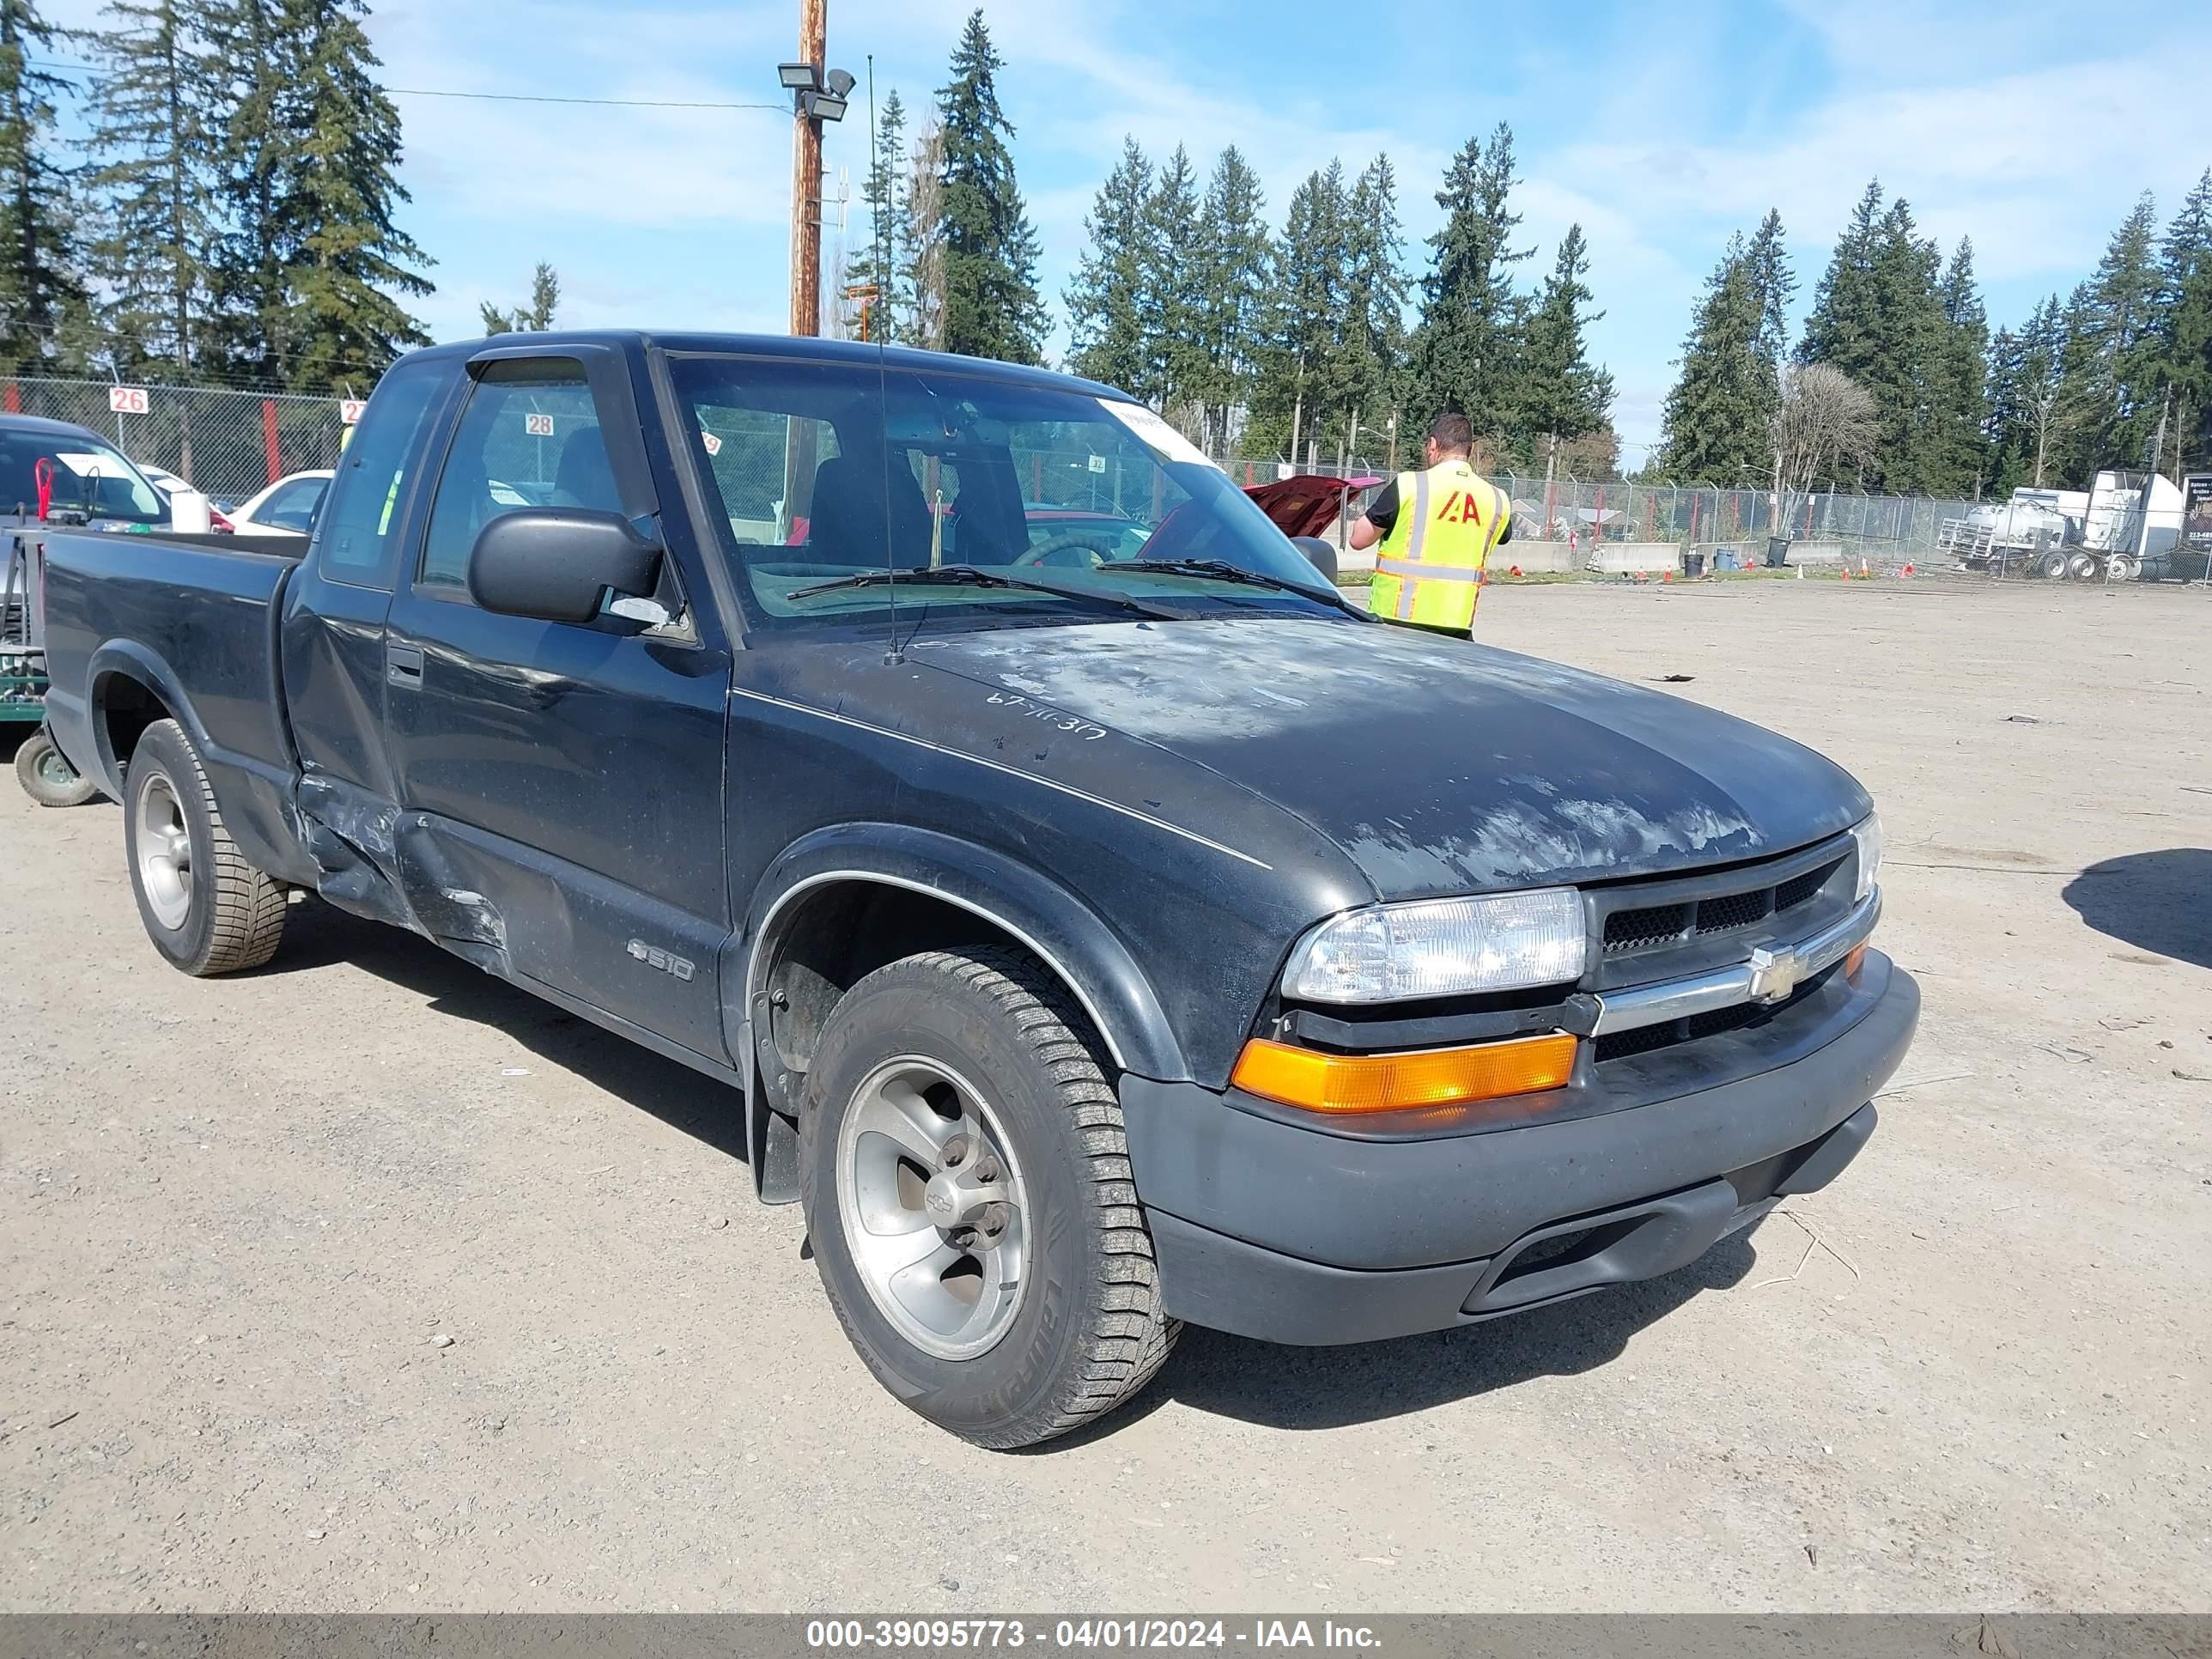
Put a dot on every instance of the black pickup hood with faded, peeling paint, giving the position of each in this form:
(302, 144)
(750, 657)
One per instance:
(1434, 766)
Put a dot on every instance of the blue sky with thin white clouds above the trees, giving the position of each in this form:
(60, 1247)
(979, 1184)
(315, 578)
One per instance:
(1658, 127)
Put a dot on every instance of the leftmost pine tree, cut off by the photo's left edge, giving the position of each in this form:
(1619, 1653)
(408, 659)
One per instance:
(41, 282)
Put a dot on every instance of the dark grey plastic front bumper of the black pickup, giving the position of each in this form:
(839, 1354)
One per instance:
(1302, 1235)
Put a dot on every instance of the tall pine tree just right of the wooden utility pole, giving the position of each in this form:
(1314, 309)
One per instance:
(990, 247)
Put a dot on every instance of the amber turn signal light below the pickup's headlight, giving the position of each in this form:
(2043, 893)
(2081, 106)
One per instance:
(1404, 1083)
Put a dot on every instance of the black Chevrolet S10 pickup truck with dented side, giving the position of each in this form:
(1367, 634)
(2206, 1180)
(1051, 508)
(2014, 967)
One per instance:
(1100, 924)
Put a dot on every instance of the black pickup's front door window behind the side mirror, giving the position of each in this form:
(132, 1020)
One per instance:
(528, 439)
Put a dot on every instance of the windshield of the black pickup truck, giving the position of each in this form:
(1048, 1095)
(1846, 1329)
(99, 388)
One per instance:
(831, 470)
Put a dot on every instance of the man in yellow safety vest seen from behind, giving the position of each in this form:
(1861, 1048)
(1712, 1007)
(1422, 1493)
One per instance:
(1437, 532)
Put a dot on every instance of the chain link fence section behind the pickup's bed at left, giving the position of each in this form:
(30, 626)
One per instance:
(222, 441)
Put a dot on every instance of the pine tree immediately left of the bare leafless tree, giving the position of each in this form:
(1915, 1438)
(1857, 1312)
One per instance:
(1715, 426)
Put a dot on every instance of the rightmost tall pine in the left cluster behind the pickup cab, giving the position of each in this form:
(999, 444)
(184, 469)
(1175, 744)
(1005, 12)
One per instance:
(337, 200)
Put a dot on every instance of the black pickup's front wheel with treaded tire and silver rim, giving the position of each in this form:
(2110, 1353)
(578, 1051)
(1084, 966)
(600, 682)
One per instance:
(1085, 1326)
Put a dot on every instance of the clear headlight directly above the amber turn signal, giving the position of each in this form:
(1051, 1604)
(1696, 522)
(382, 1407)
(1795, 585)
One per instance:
(1441, 948)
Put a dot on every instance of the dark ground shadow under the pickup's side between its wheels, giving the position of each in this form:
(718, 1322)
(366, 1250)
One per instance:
(682, 1098)
